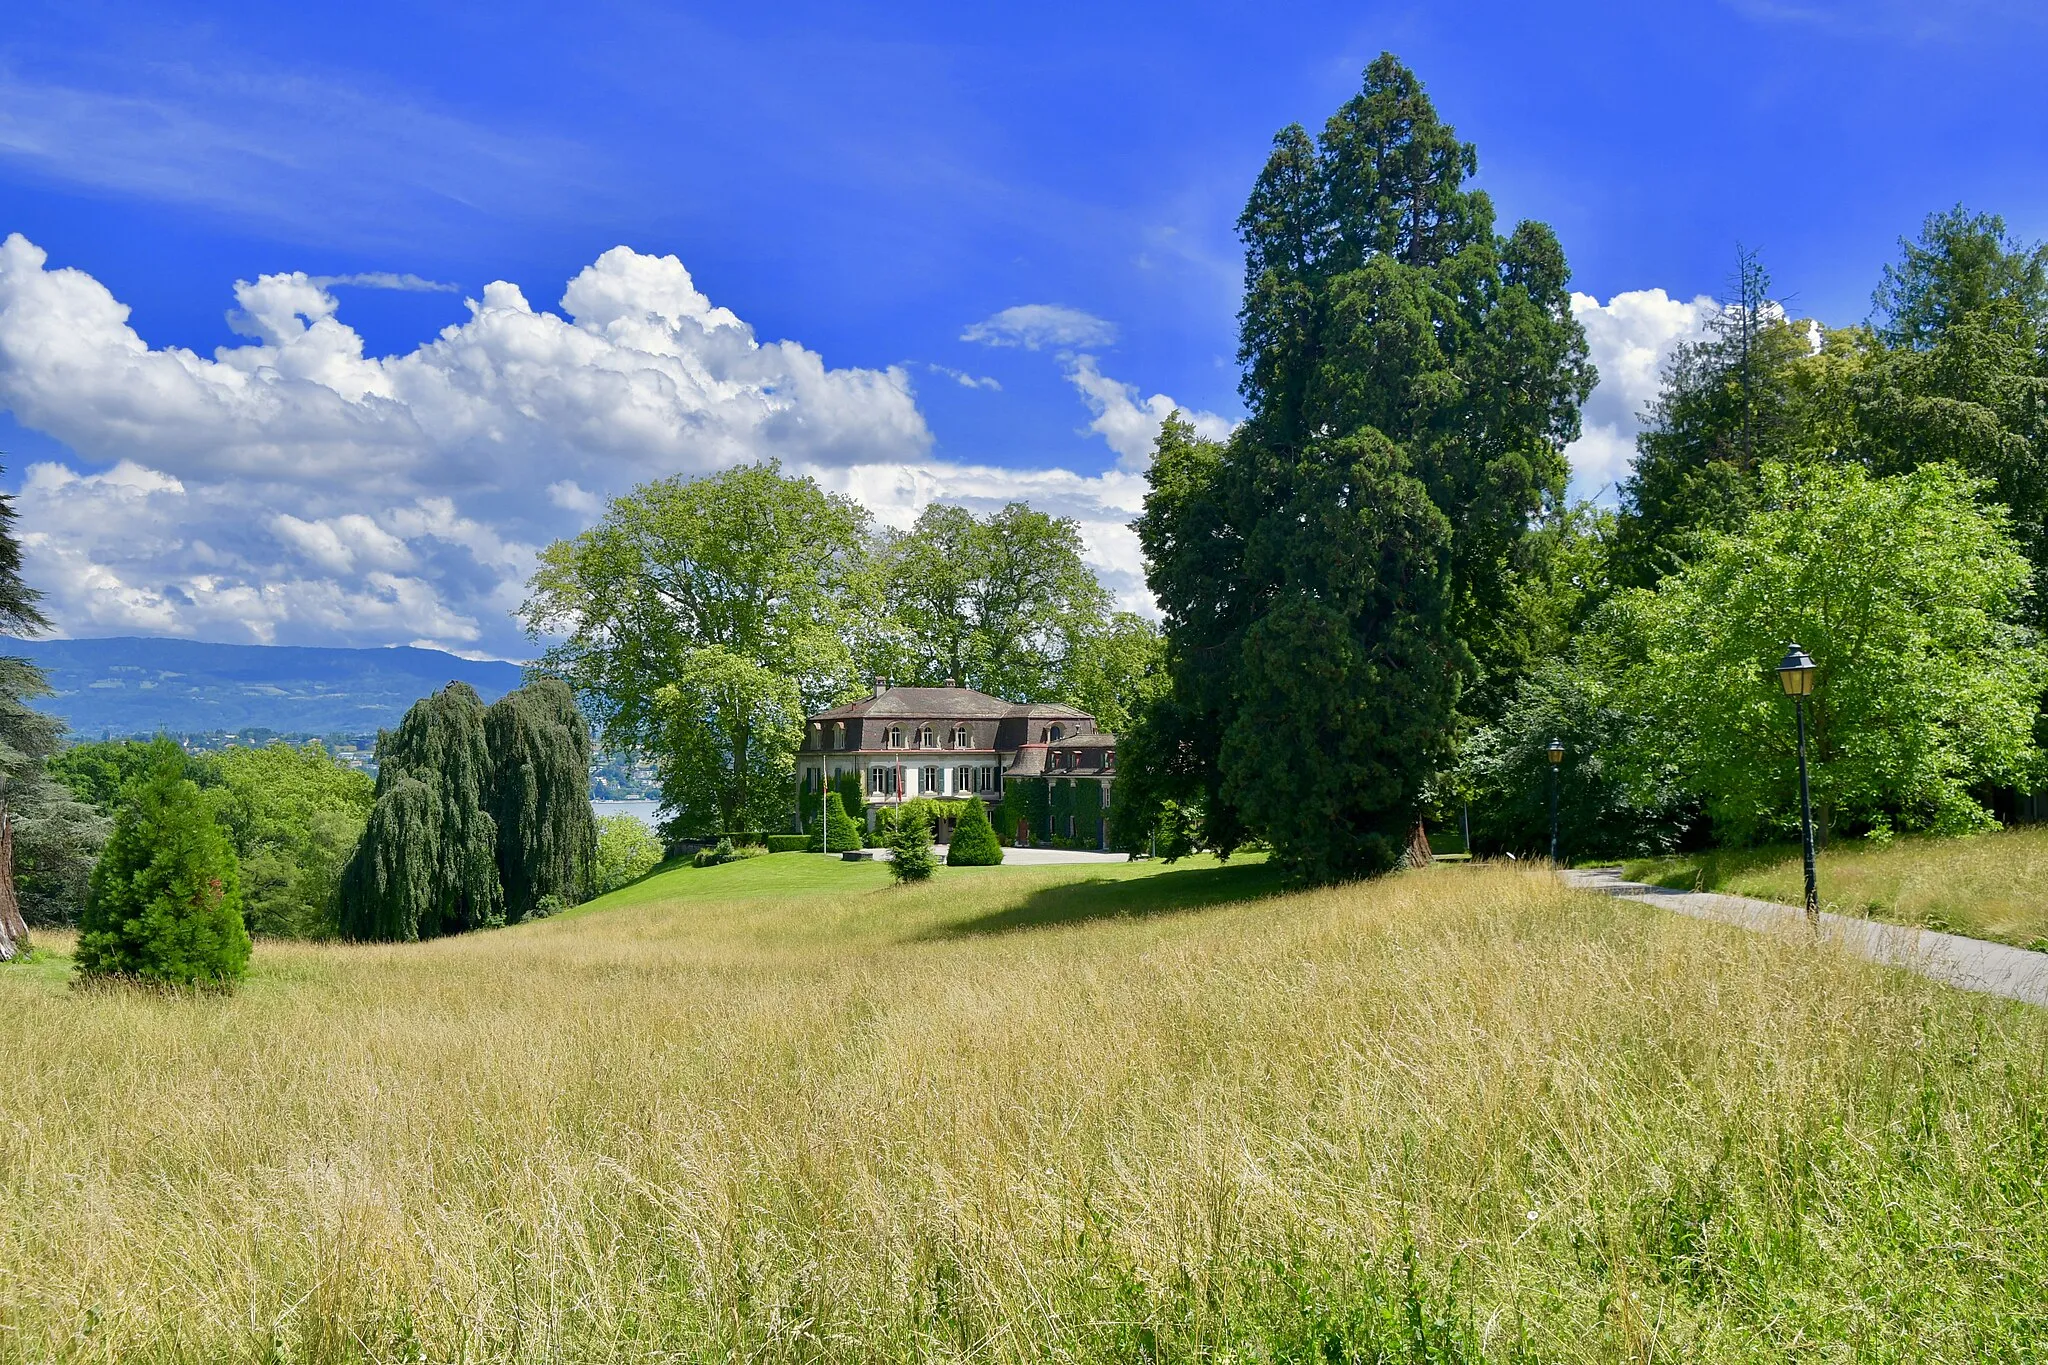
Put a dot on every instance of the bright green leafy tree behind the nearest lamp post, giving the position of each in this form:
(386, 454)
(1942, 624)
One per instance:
(1908, 595)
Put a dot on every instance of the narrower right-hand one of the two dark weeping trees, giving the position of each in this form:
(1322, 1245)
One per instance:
(548, 834)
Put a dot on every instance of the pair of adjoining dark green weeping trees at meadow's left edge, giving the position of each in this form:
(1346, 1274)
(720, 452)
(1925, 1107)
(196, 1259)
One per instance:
(480, 816)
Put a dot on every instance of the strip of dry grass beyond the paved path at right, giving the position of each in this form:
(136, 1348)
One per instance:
(1990, 887)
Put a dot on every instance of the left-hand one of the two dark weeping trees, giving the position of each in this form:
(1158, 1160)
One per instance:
(429, 858)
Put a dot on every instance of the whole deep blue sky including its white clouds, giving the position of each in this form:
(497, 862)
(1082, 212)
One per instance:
(871, 187)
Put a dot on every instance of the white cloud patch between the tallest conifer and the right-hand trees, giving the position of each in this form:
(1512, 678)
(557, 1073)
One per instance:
(1631, 337)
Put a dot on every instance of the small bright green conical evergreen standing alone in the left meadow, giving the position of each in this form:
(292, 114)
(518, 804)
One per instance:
(165, 901)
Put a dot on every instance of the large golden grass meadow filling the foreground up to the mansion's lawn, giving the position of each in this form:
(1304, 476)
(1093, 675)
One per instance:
(785, 1112)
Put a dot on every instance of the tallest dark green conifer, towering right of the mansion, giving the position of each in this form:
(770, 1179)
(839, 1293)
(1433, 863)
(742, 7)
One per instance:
(1338, 570)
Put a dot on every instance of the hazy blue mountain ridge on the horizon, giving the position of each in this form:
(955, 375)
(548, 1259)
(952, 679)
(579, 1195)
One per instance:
(138, 687)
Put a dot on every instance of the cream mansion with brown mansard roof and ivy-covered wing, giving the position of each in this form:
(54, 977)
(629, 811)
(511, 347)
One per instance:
(953, 742)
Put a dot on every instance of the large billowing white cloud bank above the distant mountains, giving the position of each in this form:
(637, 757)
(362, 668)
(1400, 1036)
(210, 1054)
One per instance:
(294, 488)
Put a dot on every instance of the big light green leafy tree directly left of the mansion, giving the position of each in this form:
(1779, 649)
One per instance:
(695, 617)
